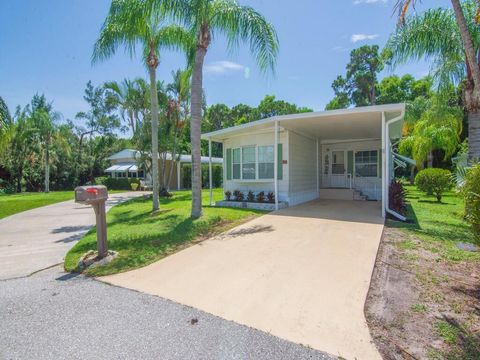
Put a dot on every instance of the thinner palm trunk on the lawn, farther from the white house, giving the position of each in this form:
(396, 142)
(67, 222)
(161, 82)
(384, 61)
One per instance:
(154, 108)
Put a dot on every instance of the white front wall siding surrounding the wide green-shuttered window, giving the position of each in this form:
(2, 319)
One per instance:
(259, 139)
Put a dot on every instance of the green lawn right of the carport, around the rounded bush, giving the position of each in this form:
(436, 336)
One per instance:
(440, 225)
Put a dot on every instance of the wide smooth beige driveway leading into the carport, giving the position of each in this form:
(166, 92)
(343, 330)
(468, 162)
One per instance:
(301, 274)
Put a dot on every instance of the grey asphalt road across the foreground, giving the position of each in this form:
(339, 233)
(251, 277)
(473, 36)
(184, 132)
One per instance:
(54, 315)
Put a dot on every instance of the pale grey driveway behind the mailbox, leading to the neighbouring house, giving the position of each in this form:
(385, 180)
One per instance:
(36, 239)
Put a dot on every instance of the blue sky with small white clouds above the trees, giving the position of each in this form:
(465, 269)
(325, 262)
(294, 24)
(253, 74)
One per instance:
(45, 47)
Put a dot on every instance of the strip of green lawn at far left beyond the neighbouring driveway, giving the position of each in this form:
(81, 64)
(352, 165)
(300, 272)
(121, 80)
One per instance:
(15, 203)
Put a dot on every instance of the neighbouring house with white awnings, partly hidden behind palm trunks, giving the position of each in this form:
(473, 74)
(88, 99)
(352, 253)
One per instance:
(126, 164)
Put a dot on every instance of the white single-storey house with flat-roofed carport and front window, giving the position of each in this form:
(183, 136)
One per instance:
(339, 154)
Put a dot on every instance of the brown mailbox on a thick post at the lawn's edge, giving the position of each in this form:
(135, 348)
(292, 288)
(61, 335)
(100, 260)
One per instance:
(96, 196)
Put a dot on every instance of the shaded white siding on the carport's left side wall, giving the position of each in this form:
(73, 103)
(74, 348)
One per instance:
(302, 169)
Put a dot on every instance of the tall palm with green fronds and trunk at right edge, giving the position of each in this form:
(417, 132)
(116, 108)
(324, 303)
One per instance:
(452, 39)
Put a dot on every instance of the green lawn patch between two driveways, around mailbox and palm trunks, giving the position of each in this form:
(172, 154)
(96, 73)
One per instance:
(142, 237)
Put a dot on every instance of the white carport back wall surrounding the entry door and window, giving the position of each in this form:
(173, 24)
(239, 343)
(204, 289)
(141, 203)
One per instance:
(369, 186)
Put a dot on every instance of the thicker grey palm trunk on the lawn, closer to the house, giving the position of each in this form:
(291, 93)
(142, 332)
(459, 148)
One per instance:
(195, 131)
